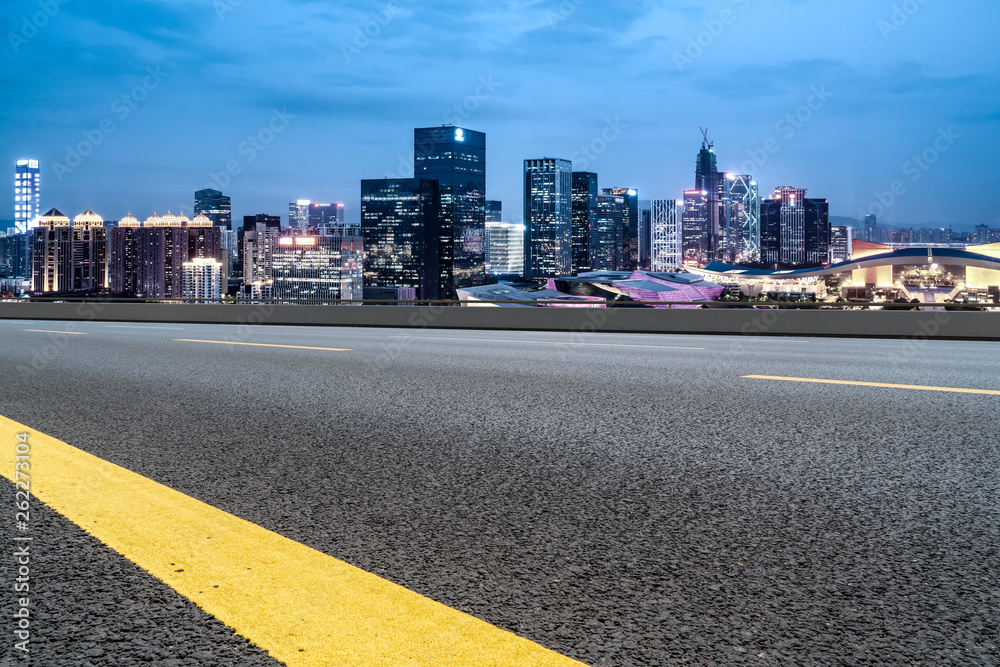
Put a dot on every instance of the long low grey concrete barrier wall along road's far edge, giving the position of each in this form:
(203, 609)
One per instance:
(855, 323)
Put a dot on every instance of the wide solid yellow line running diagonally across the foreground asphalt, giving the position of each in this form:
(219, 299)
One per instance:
(303, 607)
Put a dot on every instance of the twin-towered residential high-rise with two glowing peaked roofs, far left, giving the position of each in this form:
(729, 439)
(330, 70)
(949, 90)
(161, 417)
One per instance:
(70, 258)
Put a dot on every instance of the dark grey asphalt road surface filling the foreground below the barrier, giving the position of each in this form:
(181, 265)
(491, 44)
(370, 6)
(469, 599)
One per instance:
(621, 499)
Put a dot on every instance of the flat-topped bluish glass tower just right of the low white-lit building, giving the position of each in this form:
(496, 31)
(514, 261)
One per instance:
(548, 218)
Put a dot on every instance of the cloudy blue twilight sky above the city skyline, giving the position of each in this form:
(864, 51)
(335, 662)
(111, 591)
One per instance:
(330, 93)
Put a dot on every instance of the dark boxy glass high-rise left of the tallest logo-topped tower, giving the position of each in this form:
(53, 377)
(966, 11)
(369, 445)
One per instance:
(402, 224)
